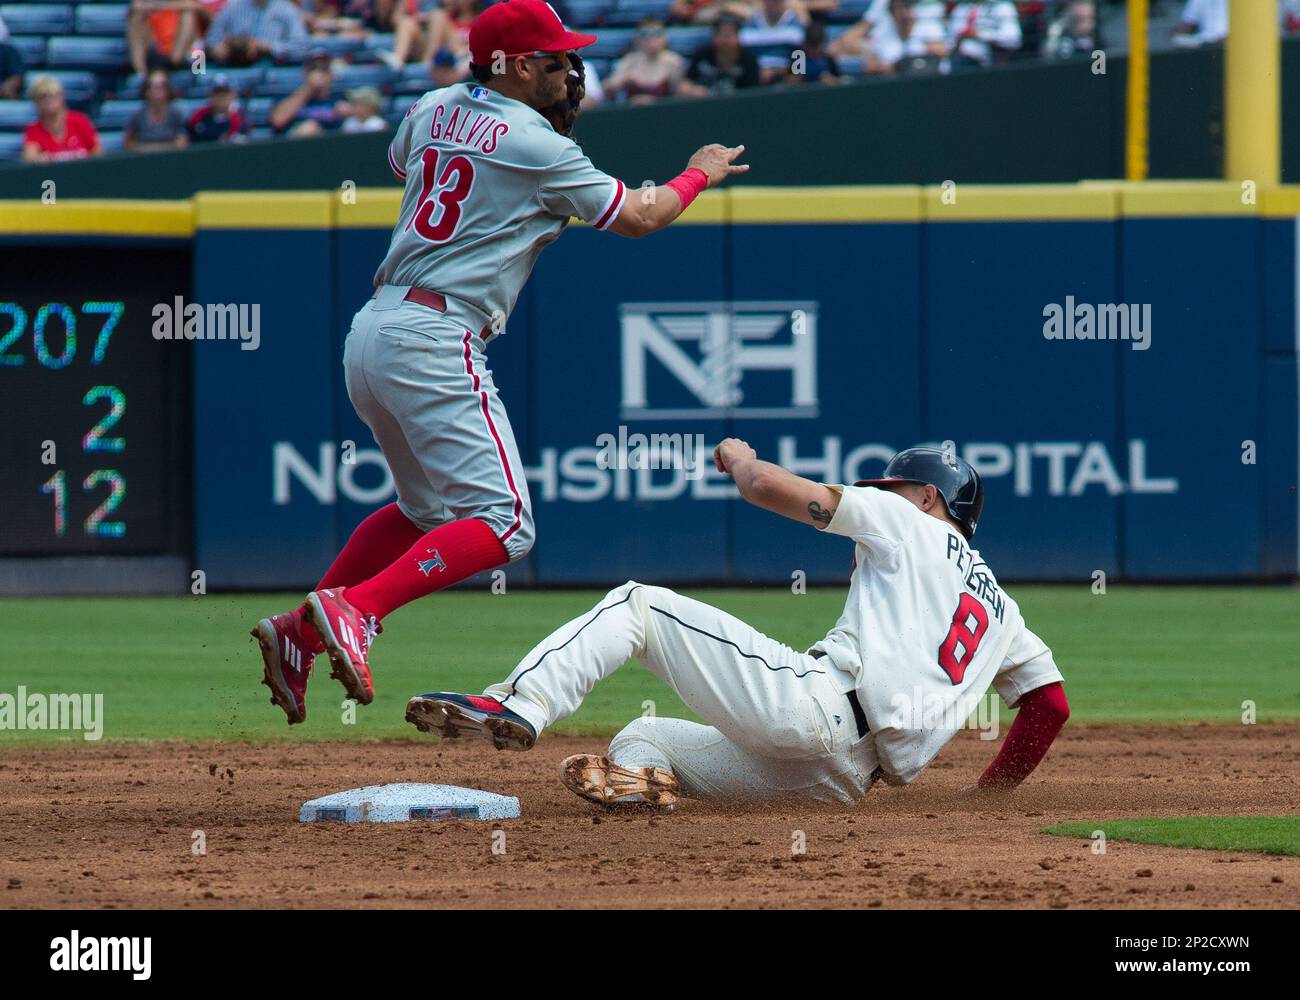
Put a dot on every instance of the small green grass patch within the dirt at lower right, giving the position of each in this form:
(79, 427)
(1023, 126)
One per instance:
(1267, 834)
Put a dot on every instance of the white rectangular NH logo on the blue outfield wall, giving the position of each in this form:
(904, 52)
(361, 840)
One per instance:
(709, 349)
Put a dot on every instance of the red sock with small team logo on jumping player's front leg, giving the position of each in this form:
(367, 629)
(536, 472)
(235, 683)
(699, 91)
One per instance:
(444, 557)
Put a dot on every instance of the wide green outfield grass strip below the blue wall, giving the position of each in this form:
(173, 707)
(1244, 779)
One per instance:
(187, 668)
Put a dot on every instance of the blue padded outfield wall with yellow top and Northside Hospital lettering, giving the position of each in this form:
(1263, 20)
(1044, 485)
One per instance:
(827, 327)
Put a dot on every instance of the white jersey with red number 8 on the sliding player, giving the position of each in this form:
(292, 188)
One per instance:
(926, 630)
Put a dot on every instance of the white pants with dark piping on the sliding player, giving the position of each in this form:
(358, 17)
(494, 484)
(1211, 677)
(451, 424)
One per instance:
(781, 724)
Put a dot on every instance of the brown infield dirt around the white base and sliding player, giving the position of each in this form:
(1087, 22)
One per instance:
(114, 826)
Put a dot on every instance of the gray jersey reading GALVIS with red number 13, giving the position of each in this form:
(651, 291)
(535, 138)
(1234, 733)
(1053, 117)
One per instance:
(488, 184)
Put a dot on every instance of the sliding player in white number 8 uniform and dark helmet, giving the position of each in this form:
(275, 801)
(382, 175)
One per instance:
(926, 630)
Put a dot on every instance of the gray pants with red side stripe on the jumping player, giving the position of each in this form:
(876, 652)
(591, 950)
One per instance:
(421, 382)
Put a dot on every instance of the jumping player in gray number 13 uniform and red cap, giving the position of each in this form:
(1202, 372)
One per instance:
(492, 178)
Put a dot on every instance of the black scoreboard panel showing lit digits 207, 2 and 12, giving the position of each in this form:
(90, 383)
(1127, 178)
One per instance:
(94, 412)
